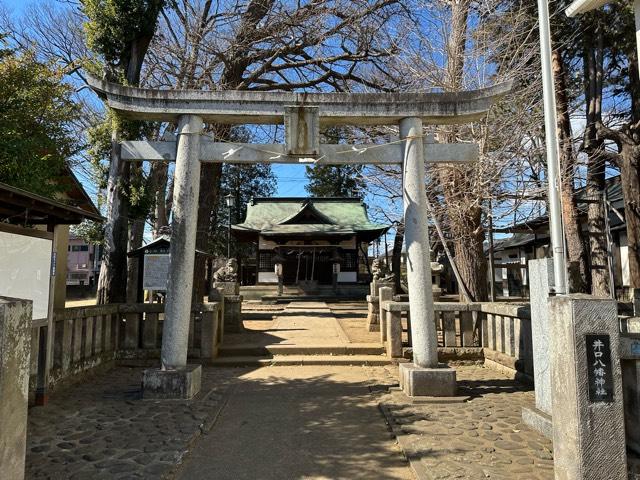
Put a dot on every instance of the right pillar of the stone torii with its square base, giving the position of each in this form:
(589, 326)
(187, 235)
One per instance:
(424, 376)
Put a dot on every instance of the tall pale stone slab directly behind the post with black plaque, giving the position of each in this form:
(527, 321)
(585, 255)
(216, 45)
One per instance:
(541, 283)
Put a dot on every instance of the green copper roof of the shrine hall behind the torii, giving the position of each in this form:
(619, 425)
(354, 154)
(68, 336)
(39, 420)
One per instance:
(286, 216)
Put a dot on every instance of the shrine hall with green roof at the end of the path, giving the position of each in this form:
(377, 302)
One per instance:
(309, 237)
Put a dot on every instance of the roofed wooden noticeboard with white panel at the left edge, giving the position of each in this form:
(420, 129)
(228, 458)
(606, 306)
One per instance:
(34, 235)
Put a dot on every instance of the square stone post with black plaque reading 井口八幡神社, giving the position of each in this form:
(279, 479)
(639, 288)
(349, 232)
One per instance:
(587, 403)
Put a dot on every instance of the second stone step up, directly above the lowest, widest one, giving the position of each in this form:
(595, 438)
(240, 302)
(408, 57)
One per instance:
(251, 350)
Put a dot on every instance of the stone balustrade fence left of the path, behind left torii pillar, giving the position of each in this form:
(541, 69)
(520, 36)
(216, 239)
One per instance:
(86, 338)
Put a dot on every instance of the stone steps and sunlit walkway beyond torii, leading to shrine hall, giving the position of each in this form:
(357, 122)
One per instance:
(303, 333)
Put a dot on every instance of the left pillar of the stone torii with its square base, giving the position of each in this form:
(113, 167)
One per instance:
(176, 379)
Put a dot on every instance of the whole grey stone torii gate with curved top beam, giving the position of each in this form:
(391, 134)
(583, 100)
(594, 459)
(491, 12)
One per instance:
(302, 114)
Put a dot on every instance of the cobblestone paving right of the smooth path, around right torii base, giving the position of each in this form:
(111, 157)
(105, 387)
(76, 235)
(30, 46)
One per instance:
(483, 438)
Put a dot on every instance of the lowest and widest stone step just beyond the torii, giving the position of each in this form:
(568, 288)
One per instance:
(297, 360)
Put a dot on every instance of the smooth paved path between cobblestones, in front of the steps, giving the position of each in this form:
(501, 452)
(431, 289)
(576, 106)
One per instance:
(299, 423)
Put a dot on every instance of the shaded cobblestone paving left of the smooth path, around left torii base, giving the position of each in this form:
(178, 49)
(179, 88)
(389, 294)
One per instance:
(102, 429)
